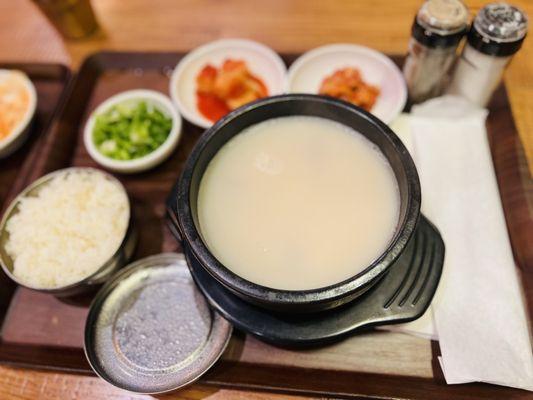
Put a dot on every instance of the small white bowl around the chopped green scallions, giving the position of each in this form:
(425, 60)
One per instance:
(158, 100)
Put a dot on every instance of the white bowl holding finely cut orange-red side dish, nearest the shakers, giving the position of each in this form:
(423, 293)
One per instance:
(308, 71)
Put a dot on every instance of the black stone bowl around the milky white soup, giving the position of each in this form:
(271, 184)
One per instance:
(182, 203)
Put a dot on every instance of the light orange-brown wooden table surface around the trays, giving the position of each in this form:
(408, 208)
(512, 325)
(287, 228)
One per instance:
(168, 25)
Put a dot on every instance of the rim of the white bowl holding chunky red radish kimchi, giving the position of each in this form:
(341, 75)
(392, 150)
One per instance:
(192, 116)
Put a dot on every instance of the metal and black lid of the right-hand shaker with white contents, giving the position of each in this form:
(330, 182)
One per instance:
(498, 29)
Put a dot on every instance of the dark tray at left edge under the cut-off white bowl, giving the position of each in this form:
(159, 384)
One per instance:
(51, 81)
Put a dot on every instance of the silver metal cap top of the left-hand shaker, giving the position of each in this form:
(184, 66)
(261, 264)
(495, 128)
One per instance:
(443, 17)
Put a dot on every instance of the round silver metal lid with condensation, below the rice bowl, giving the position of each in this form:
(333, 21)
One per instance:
(149, 329)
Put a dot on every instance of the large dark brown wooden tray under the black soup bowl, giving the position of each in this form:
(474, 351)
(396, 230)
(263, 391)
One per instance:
(43, 332)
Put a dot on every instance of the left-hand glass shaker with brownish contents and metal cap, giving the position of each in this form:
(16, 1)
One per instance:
(437, 30)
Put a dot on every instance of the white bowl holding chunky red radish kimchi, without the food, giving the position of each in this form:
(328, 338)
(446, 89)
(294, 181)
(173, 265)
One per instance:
(260, 59)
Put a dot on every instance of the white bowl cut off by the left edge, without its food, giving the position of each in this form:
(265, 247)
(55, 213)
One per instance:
(22, 130)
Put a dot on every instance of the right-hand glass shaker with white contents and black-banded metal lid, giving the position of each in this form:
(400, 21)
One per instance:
(496, 35)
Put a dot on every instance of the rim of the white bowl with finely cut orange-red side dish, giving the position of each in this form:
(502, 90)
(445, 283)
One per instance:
(335, 47)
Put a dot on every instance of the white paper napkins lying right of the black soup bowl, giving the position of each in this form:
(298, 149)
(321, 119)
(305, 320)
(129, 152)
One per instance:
(478, 314)
